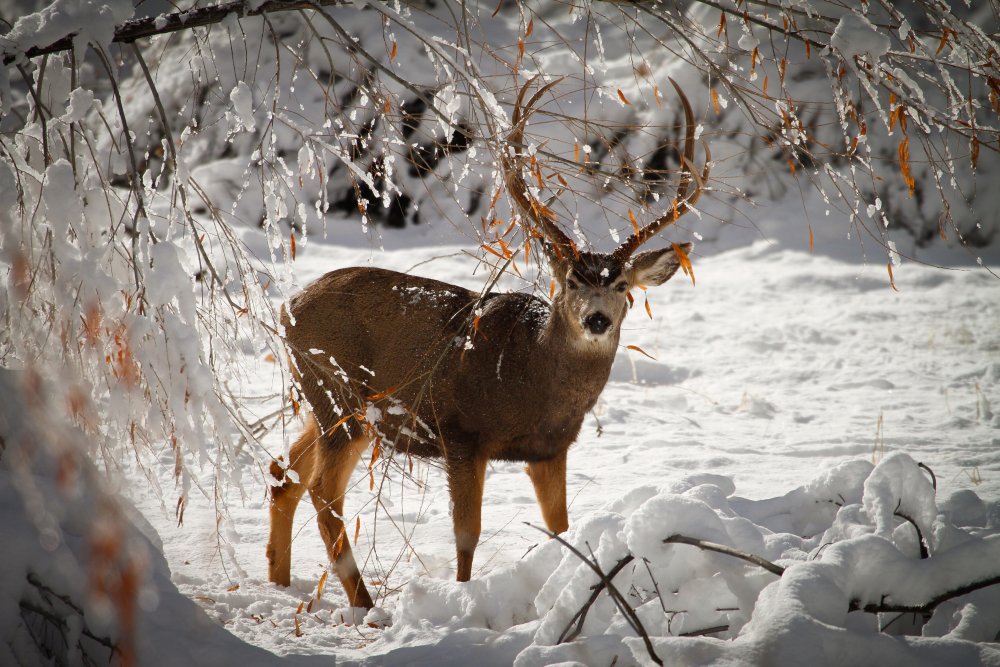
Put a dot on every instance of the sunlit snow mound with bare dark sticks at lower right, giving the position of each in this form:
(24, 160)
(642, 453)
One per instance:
(872, 555)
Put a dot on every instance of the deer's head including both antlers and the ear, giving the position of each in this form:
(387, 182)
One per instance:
(593, 287)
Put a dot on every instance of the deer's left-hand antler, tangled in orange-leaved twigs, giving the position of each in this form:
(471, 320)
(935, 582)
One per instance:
(517, 189)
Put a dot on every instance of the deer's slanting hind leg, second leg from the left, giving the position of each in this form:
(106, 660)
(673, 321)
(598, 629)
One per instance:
(335, 462)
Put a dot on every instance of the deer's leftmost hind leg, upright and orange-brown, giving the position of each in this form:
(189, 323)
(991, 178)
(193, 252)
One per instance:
(284, 500)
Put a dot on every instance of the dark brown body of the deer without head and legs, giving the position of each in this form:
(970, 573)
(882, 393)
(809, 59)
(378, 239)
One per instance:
(437, 371)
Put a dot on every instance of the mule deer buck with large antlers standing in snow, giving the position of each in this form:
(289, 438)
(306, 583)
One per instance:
(361, 338)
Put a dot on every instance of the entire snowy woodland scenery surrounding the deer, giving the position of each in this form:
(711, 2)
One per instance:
(819, 401)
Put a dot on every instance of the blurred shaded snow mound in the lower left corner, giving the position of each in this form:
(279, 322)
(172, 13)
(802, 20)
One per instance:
(83, 577)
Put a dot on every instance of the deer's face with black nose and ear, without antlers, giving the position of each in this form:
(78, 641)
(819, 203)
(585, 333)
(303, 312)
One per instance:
(594, 287)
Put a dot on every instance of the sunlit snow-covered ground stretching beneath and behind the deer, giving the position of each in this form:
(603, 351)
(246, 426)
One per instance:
(774, 369)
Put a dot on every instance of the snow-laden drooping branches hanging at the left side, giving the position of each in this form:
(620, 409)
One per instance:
(115, 289)
